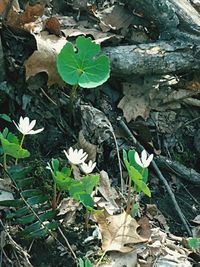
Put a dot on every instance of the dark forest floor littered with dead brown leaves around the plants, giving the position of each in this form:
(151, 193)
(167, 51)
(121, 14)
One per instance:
(151, 113)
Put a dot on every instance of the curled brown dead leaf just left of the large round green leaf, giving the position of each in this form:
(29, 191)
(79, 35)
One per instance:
(44, 59)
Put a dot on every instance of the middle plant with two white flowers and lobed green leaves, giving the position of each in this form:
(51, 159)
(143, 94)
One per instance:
(79, 189)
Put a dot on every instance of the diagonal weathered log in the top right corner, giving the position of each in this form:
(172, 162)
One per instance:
(169, 15)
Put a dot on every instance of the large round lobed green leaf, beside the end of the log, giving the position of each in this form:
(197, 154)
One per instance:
(84, 67)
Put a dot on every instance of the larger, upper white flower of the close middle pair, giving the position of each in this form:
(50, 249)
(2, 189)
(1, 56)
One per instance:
(76, 156)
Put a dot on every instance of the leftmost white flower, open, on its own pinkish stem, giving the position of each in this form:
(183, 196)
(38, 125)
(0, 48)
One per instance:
(26, 127)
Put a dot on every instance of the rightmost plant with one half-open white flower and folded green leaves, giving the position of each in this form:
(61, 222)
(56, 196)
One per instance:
(138, 174)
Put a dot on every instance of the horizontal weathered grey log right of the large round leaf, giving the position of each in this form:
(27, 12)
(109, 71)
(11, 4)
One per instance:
(153, 58)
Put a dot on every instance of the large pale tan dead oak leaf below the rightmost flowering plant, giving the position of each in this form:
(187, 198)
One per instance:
(119, 232)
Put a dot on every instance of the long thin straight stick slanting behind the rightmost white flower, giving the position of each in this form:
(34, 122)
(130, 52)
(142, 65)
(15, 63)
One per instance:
(160, 176)
